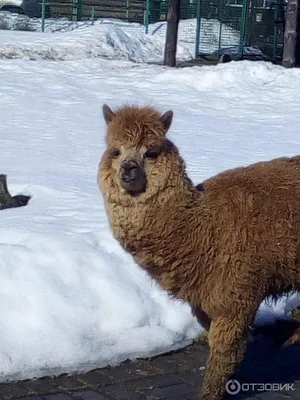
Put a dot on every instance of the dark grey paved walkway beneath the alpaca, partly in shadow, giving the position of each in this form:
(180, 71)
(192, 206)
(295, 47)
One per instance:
(172, 377)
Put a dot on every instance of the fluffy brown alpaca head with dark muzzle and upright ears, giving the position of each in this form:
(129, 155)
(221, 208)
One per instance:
(139, 161)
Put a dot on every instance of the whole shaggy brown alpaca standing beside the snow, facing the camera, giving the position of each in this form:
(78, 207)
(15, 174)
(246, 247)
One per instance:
(223, 248)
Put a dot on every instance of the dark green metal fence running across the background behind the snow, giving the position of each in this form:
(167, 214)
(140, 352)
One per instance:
(243, 28)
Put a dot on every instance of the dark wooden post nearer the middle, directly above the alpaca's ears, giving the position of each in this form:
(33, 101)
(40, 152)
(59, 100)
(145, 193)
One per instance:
(172, 33)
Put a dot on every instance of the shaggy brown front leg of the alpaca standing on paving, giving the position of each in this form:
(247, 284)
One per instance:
(227, 339)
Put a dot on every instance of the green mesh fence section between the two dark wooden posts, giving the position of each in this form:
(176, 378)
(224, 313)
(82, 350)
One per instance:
(246, 28)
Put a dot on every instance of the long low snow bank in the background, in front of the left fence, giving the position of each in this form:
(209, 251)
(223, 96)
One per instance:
(100, 40)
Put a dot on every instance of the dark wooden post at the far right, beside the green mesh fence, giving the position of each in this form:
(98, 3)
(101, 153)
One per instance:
(290, 34)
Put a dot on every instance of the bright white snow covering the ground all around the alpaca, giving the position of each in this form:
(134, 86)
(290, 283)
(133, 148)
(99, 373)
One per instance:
(70, 298)
